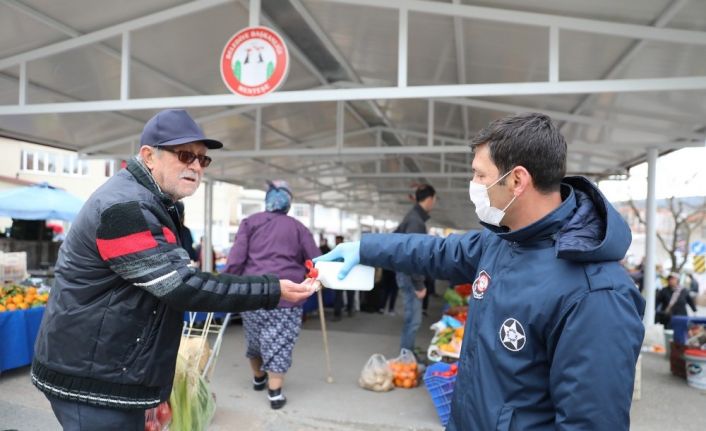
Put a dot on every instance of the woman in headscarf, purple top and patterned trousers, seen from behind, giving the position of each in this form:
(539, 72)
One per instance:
(272, 242)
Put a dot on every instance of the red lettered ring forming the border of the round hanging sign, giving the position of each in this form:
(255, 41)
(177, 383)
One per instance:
(278, 75)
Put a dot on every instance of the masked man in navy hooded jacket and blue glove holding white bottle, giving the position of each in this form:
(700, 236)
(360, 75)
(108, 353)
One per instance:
(554, 324)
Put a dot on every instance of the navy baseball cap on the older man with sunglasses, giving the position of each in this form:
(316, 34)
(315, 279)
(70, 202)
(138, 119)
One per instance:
(174, 127)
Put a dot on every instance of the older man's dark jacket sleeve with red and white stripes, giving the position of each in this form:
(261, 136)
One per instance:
(134, 243)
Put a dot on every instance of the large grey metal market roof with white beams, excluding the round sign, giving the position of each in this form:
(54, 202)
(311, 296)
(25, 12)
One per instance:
(380, 95)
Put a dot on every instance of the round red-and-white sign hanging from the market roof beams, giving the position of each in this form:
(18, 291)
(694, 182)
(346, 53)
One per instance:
(254, 62)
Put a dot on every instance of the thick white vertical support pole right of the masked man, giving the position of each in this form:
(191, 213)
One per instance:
(650, 239)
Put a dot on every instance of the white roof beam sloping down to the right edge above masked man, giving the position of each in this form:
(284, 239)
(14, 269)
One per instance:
(594, 26)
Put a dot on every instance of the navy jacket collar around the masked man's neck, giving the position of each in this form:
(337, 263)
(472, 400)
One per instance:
(545, 228)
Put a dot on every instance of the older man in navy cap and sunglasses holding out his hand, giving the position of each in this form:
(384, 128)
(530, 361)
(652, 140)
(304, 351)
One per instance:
(107, 346)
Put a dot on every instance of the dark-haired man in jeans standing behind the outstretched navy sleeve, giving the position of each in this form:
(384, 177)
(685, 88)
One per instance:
(412, 286)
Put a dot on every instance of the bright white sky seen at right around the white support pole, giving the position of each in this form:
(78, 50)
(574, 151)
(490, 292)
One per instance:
(680, 173)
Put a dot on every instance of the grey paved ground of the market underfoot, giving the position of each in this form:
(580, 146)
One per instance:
(314, 405)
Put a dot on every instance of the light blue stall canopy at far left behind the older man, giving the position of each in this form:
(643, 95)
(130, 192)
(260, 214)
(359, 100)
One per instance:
(39, 202)
